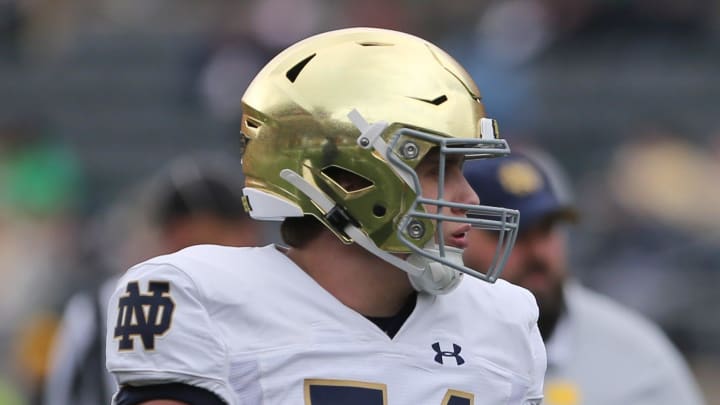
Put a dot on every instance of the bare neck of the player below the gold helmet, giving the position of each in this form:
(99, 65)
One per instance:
(355, 277)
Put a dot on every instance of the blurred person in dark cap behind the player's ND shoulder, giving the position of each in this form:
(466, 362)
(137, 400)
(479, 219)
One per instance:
(196, 200)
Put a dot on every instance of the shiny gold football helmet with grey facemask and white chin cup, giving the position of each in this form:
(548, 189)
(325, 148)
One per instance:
(370, 104)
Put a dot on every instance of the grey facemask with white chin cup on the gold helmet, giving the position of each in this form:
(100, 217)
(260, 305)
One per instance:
(432, 265)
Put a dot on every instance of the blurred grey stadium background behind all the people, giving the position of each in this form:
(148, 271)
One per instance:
(96, 95)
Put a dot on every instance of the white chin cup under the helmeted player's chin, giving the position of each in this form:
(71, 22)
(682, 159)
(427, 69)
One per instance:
(436, 278)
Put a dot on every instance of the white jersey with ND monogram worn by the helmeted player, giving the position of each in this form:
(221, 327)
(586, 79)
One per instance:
(249, 325)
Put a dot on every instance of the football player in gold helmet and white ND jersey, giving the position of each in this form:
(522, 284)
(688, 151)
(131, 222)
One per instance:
(355, 139)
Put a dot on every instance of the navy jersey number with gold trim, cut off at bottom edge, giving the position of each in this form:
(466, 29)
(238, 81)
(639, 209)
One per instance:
(331, 392)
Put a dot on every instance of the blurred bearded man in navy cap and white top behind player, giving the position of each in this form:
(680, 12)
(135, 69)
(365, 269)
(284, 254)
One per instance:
(599, 353)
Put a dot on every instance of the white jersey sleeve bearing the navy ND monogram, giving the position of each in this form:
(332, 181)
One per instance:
(159, 331)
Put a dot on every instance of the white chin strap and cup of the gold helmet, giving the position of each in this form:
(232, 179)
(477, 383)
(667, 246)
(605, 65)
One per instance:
(425, 274)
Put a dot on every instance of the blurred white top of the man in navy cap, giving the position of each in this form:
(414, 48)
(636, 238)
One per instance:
(601, 353)
